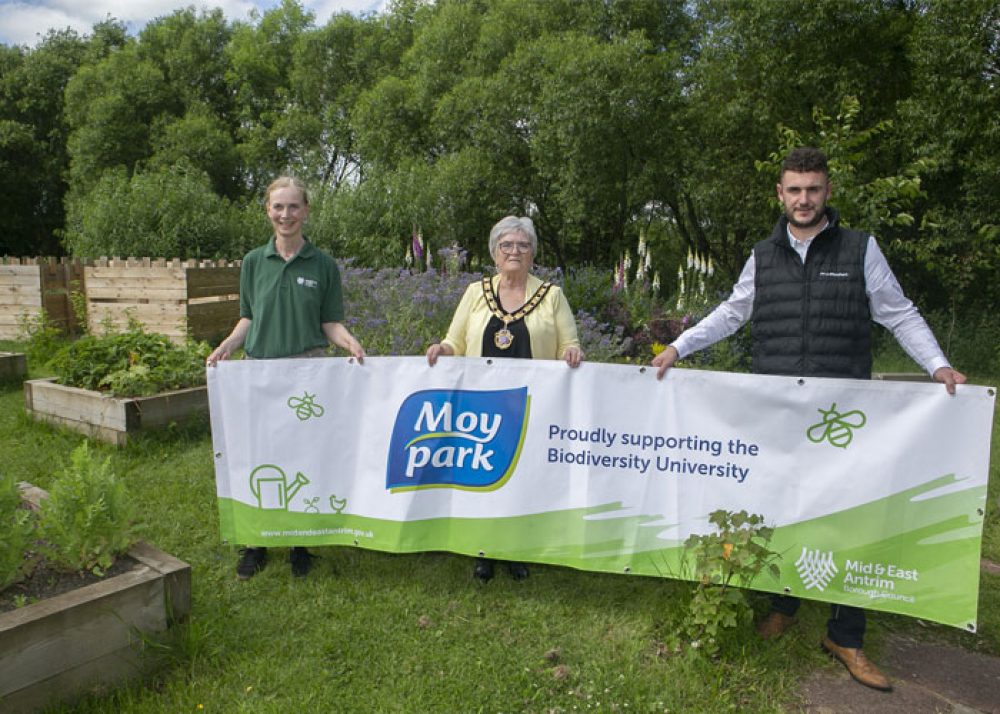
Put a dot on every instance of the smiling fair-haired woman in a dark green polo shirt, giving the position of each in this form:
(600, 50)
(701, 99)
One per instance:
(290, 306)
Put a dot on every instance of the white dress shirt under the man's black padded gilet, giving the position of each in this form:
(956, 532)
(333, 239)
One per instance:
(888, 305)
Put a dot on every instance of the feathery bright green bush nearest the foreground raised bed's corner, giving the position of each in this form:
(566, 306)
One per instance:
(88, 518)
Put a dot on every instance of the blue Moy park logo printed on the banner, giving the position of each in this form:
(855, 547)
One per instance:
(446, 438)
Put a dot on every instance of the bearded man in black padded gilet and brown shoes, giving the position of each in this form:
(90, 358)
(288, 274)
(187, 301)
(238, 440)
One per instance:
(811, 291)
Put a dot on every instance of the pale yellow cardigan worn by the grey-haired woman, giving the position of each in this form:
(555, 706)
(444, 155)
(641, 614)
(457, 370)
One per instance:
(550, 325)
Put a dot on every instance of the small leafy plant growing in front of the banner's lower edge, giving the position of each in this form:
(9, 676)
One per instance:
(724, 563)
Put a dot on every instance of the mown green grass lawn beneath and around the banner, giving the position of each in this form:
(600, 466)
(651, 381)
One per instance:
(377, 632)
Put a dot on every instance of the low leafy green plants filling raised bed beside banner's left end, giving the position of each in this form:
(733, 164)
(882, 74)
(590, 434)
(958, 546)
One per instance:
(130, 363)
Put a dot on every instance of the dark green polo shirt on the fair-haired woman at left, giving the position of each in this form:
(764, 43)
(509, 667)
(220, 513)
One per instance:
(288, 301)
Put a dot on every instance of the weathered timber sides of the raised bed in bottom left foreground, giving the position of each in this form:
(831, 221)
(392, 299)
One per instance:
(53, 650)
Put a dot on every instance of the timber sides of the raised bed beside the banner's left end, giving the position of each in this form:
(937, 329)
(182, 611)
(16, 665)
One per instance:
(110, 419)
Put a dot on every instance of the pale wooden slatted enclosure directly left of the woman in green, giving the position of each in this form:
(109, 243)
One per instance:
(170, 297)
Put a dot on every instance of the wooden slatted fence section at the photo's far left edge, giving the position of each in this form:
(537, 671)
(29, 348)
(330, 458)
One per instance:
(28, 285)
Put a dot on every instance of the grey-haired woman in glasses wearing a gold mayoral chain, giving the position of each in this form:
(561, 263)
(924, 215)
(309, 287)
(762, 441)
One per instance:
(512, 314)
